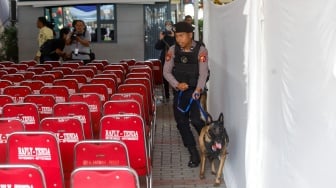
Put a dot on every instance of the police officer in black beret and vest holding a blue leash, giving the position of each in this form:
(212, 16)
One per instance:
(186, 69)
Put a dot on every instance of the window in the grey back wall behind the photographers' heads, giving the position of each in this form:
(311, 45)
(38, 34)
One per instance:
(99, 19)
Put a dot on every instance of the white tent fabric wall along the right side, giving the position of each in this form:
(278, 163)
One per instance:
(273, 75)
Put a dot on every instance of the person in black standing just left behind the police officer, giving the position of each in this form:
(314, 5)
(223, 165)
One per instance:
(166, 40)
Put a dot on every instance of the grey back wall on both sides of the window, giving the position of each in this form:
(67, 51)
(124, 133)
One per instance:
(130, 34)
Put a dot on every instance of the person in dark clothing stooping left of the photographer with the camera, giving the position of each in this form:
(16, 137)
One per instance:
(53, 49)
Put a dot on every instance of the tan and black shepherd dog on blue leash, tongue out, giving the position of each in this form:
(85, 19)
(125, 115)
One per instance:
(213, 141)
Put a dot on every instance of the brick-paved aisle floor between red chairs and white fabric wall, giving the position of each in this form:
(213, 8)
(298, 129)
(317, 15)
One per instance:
(170, 157)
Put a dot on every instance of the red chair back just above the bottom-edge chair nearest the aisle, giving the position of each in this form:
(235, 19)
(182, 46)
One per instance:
(101, 153)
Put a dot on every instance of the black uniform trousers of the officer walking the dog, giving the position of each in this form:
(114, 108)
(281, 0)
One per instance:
(183, 119)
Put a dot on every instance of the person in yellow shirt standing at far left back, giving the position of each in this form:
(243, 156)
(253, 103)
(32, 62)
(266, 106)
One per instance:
(45, 33)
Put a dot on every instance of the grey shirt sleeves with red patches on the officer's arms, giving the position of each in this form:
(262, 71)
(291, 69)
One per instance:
(202, 62)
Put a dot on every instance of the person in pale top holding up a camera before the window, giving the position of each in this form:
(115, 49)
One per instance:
(79, 40)
